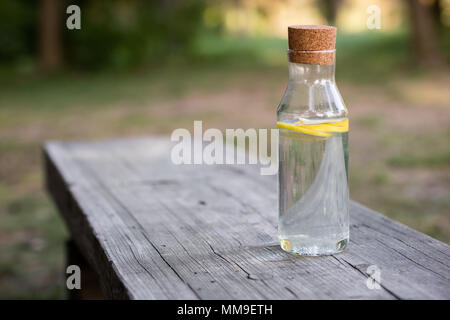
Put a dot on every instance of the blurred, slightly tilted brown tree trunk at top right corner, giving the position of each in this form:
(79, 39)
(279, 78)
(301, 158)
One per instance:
(424, 38)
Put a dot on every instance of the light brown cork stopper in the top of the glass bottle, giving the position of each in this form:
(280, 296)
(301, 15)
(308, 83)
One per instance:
(312, 44)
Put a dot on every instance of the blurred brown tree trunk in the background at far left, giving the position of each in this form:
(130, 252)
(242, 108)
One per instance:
(49, 33)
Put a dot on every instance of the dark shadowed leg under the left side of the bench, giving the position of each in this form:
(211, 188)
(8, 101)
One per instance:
(90, 286)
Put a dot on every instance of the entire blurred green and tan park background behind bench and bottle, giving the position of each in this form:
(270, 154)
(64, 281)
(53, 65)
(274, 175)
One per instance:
(147, 67)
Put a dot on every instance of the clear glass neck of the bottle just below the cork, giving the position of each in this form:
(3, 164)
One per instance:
(311, 73)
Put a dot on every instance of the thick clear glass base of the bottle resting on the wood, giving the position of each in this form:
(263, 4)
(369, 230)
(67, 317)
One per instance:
(300, 247)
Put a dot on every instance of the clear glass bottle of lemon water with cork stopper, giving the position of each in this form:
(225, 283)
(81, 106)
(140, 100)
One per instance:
(313, 148)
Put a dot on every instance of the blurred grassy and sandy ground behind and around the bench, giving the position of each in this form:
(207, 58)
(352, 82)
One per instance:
(228, 83)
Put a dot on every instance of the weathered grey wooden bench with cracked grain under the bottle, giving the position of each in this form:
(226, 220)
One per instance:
(153, 230)
